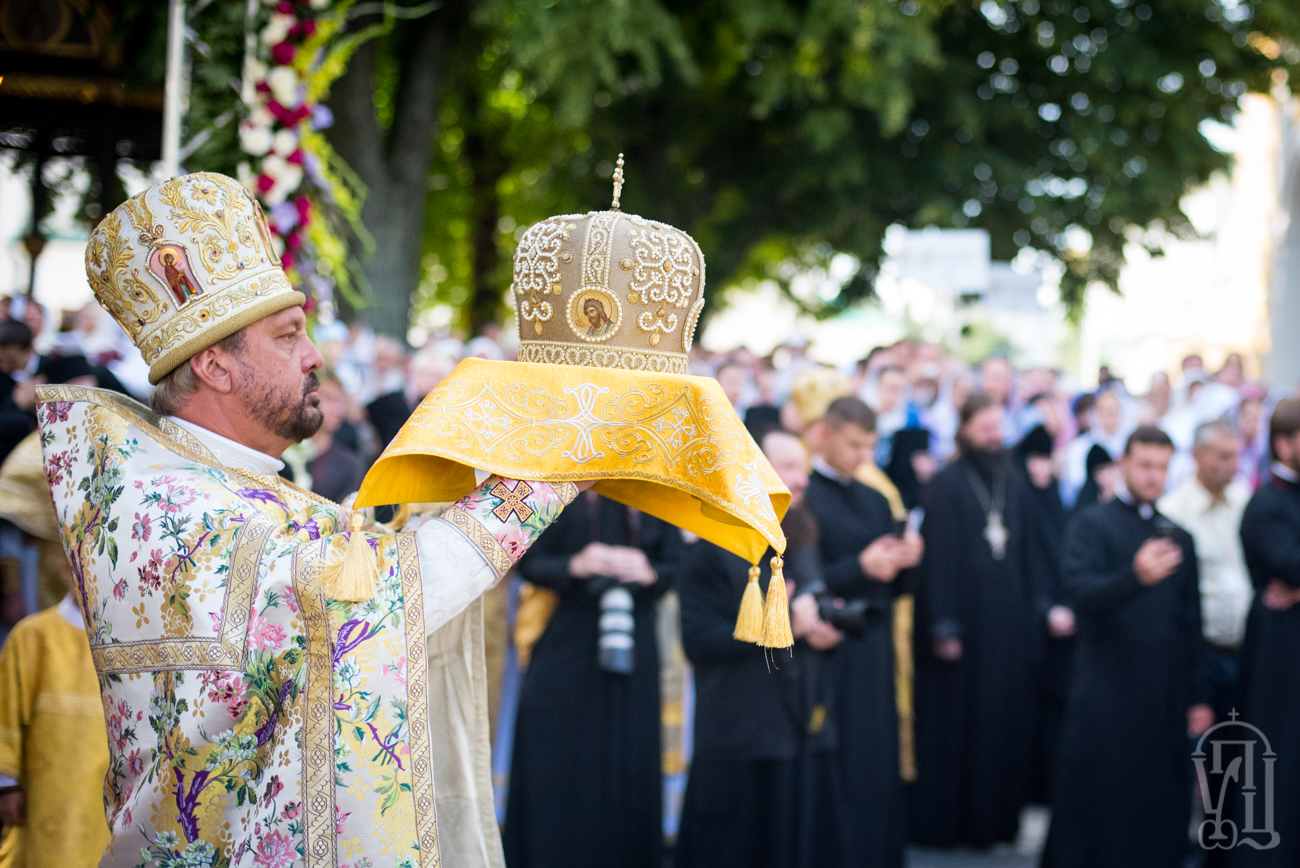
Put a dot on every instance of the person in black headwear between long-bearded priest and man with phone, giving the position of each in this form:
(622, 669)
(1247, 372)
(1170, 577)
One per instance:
(1046, 523)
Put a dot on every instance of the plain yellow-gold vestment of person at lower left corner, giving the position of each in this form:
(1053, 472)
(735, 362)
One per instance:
(53, 741)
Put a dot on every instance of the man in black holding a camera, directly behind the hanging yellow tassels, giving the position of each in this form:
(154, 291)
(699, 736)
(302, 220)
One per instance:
(761, 776)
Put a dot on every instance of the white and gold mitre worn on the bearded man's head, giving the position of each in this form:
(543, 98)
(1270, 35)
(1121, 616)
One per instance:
(187, 264)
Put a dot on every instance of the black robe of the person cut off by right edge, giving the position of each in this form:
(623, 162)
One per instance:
(1271, 541)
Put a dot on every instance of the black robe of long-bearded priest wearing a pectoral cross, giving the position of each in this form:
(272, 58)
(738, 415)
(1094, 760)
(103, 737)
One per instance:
(974, 717)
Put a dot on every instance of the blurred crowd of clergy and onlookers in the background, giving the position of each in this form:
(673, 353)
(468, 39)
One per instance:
(1004, 591)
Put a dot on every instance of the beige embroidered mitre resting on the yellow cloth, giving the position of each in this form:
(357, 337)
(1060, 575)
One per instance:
(608, 290)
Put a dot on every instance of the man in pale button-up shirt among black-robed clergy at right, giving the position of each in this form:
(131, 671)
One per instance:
(1210, 507)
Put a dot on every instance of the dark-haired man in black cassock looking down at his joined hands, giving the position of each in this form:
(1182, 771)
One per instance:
(863, 561)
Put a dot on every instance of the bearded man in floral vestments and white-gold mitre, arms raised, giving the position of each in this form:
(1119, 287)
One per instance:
(257, 715)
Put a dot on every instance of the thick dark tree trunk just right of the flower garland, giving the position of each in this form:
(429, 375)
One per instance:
(395, 163)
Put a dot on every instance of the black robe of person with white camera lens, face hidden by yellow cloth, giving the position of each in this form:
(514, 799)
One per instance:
(586, 778)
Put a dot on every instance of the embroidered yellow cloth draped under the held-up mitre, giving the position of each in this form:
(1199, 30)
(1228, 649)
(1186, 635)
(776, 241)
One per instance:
(669, 445)
